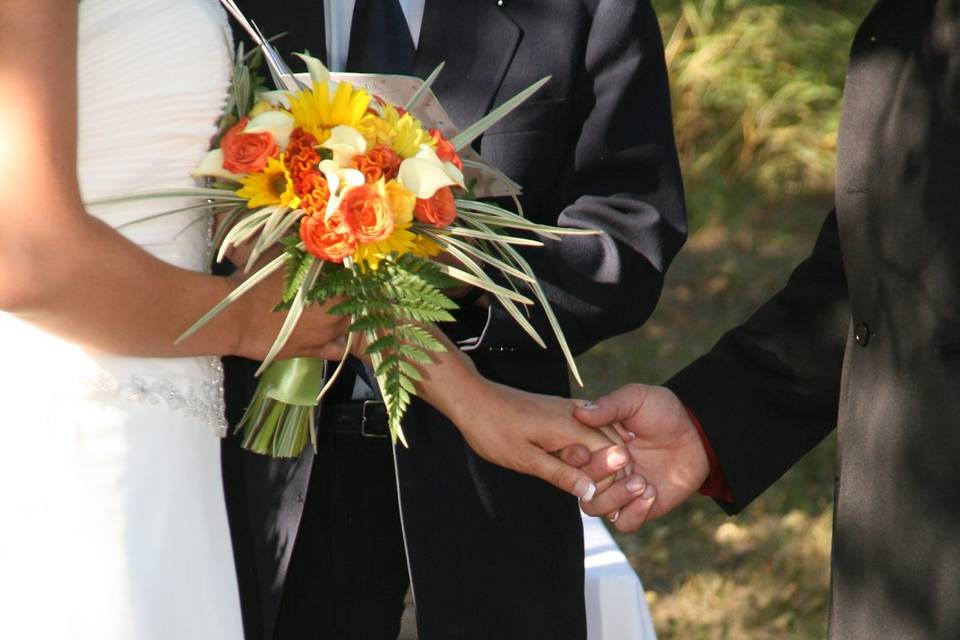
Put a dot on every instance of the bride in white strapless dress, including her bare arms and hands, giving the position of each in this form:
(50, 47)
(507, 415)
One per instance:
(113, 518)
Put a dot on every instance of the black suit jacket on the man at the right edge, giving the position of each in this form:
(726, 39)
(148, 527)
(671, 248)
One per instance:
(865, 335)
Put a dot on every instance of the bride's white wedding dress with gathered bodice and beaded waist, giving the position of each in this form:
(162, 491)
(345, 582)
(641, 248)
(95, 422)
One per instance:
(113, 522)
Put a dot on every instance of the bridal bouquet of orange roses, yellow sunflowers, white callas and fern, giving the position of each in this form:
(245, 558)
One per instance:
(363, 197)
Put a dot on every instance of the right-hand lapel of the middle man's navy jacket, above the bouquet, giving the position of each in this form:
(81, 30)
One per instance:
(477, 41)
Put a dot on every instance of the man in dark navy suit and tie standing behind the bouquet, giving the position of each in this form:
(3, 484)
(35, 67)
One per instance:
(493, 554)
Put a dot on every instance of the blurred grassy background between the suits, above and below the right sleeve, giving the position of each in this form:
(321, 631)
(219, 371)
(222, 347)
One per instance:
(757, 87)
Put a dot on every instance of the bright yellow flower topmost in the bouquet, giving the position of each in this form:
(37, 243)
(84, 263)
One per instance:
(316, 112)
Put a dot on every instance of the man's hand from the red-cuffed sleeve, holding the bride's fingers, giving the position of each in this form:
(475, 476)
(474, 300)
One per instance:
(669, 461)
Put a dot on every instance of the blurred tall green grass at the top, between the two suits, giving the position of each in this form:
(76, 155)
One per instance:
(756, 89)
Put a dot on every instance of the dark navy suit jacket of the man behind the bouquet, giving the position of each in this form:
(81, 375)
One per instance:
(495, 554)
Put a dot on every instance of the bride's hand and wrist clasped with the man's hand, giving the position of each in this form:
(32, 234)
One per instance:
(564, 443)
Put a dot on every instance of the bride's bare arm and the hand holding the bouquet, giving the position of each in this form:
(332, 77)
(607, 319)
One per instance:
(67, 272)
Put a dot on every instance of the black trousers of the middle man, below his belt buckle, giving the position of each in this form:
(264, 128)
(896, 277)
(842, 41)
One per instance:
(348, 574)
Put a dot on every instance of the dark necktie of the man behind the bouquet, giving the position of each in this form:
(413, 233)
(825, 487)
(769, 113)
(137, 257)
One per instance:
(380, 40)
